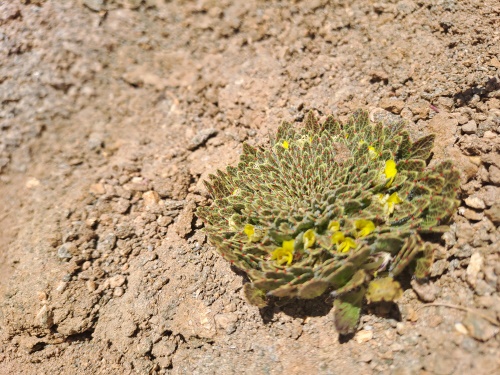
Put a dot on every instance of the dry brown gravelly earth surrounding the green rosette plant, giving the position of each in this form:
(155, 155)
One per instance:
(113, 112)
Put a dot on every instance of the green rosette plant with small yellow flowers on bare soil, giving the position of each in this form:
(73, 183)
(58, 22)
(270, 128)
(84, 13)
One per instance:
(331, 207)
